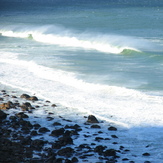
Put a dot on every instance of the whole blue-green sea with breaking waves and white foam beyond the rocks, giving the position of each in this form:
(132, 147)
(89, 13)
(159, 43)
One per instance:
(94, 57)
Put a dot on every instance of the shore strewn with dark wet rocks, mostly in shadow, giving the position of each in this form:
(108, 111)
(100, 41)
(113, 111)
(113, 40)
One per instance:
(26, 137)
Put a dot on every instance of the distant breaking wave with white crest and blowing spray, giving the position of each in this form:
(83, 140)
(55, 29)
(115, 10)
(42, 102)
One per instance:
(67, 38)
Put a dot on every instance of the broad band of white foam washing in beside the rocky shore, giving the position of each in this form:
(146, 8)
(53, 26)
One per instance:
(126, 107)
